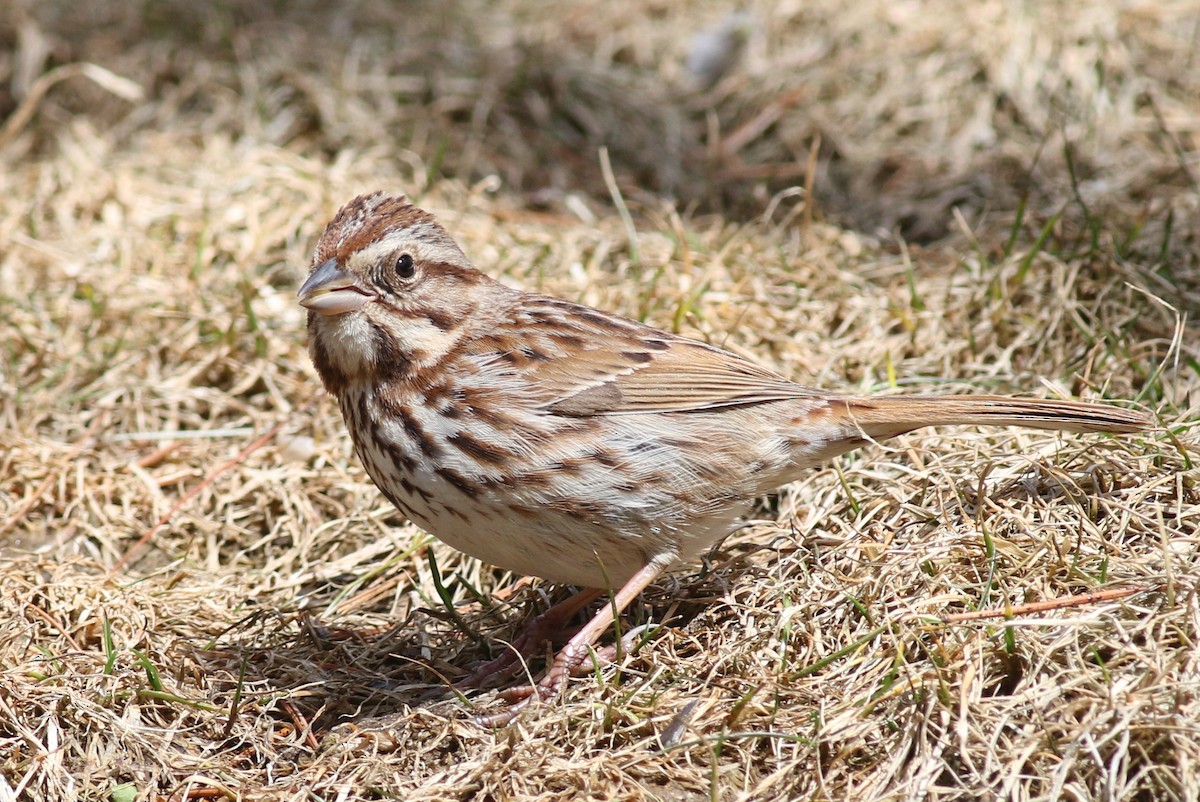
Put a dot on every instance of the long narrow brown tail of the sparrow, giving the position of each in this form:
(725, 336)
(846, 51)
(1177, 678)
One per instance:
(881, 417)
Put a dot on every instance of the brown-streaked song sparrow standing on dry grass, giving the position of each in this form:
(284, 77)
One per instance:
(556, 440)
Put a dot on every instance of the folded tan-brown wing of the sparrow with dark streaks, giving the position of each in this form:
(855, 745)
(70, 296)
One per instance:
(584, 362)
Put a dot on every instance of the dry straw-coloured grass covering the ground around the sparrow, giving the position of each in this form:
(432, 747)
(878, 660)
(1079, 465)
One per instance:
(1046, 158)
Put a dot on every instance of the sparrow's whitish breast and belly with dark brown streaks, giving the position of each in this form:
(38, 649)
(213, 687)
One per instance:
(563, 502)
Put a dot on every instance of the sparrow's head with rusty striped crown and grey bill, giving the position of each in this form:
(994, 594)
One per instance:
(388, 291)
